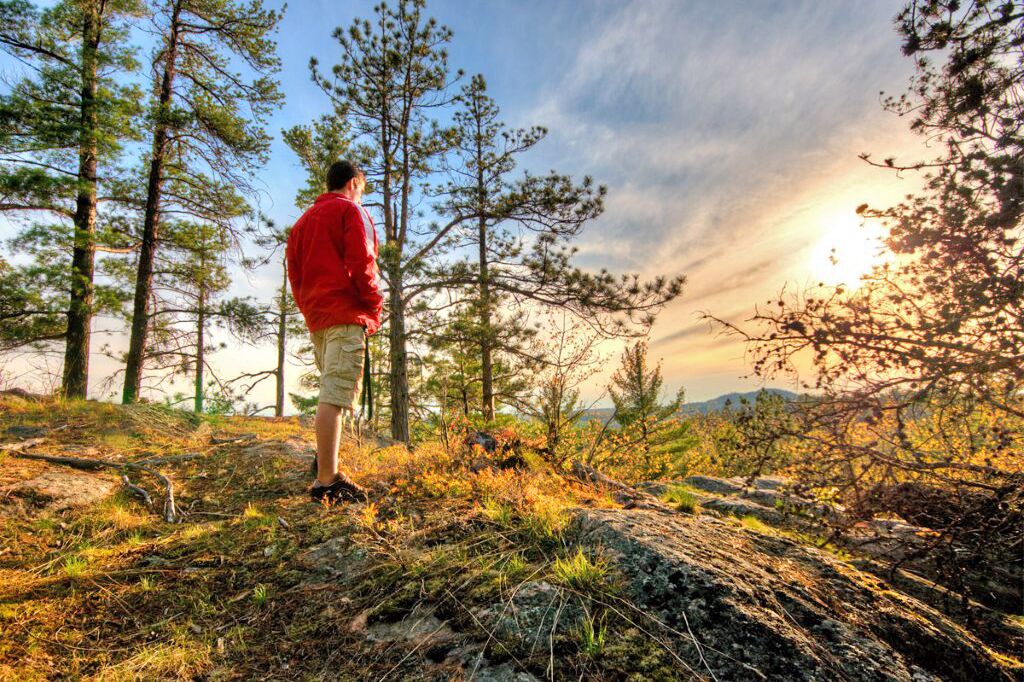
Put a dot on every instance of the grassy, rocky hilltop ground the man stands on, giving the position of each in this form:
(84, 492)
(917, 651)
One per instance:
(447, 574)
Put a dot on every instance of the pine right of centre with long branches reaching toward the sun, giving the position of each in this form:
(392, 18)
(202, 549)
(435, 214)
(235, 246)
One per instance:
(522, 230)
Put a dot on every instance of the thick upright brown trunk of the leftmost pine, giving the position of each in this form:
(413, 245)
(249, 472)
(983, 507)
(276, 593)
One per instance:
(76, 369)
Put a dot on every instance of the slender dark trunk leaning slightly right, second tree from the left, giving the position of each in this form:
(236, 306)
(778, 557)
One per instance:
(151, 223)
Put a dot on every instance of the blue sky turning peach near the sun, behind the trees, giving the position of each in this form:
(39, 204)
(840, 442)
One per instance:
(728, 134)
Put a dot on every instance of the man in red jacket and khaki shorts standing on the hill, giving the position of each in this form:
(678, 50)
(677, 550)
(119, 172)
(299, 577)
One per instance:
(332, 266)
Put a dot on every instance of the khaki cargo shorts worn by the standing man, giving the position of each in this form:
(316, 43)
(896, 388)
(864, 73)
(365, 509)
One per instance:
(338, 352)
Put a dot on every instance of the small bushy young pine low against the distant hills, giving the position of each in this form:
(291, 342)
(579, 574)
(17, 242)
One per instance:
(651, 425)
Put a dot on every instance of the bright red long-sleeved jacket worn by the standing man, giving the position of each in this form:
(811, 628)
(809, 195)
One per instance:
(332, 265)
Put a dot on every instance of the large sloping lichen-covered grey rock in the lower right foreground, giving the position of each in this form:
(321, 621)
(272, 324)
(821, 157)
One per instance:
(735, 605)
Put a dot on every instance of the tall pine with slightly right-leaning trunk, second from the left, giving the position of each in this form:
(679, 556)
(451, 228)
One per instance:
(208, 133)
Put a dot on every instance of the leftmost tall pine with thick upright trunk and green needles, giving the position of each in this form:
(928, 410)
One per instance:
(61, 133)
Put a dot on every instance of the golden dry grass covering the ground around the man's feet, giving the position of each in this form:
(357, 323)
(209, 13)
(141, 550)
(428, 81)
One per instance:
(113, 592)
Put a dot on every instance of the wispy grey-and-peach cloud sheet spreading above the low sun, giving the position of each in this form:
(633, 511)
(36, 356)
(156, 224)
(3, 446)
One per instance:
(729, 136)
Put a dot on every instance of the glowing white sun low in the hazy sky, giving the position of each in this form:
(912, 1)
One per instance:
(847, 251)
